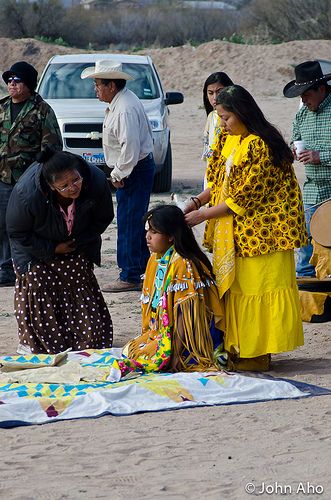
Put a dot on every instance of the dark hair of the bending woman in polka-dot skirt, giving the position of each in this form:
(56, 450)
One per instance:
(54, 163)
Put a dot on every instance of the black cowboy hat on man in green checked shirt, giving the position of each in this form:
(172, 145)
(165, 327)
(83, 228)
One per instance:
(307, 74)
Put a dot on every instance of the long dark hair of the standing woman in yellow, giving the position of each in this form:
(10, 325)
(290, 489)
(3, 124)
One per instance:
(239, 101)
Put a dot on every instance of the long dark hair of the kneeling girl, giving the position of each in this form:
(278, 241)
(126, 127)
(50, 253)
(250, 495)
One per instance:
(170, 220)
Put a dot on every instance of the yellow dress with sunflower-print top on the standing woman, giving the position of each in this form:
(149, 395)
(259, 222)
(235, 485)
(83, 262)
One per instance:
(255, 272)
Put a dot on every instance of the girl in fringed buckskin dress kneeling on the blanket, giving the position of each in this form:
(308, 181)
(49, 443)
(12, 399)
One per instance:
(180, 302)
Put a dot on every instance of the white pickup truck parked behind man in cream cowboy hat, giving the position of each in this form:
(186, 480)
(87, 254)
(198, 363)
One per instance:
(80, 114)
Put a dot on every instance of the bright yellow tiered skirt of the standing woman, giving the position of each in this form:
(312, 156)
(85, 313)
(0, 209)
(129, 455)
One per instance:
(262, 306)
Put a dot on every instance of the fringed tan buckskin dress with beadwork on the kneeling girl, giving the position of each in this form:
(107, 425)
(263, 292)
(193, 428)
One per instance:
(174, 289)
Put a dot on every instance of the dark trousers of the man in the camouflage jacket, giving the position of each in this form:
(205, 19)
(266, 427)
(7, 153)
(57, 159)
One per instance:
(6, 266)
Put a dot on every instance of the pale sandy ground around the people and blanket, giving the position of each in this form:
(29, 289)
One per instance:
(209, 453)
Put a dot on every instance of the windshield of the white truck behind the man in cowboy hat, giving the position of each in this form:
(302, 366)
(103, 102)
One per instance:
(63, 81)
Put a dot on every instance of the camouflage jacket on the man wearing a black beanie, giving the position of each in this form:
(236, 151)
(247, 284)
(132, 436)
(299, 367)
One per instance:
(35, 126)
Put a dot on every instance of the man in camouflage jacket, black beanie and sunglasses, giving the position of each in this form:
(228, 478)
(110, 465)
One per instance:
(27, 125)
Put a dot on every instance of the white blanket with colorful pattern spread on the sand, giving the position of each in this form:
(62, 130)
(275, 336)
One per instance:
(36, 389)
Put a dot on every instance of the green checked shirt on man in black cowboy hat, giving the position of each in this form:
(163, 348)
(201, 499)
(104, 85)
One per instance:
(314, 128)
